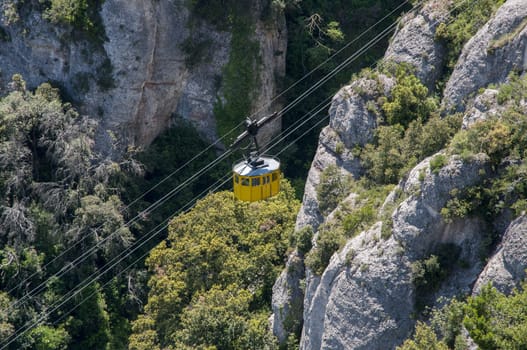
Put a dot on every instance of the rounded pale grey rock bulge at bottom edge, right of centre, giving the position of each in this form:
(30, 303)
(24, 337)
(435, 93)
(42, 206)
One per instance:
(364, 298)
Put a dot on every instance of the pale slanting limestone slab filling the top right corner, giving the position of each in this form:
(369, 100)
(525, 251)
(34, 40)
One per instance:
(498, 48)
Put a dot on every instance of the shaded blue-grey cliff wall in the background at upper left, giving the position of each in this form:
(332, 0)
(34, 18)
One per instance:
(148, 61)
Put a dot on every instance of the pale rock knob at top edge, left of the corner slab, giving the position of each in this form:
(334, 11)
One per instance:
(415, 44)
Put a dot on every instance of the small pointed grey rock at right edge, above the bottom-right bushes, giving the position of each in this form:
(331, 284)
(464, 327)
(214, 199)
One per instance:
(506, 269)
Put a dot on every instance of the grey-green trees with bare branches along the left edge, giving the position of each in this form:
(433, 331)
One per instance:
(55, 193)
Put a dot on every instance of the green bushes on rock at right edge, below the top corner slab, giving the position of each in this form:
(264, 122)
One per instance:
(499, 138)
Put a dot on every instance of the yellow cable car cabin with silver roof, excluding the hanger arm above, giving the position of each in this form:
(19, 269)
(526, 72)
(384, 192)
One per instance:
(256, 179)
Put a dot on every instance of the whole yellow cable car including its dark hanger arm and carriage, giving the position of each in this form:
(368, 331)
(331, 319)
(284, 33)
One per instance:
(258, 176)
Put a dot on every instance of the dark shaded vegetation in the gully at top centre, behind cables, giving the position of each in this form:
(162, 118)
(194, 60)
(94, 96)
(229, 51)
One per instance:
(316, 30)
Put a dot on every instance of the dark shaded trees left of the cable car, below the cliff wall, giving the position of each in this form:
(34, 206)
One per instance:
(166, 156)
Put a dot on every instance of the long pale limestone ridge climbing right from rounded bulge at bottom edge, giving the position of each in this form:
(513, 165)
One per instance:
(365, 297)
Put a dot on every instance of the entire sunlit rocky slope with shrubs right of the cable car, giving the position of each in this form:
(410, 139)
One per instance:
(446, 212)
